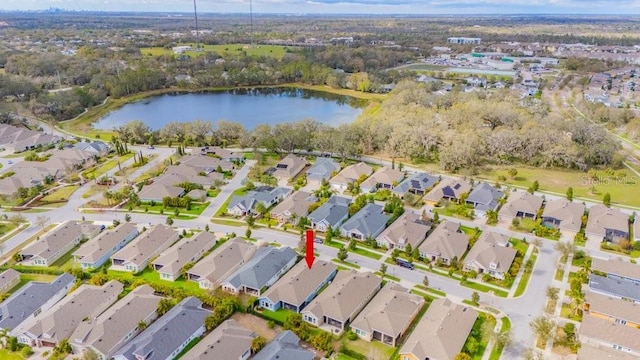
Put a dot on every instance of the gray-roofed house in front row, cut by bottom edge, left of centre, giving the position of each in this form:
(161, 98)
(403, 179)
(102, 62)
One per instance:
(186, 320)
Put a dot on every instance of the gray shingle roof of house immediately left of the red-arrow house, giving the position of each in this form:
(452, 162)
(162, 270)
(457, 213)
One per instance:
(266, 263)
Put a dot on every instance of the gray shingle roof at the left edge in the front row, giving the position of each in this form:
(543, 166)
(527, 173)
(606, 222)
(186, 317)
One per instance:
(21, 304)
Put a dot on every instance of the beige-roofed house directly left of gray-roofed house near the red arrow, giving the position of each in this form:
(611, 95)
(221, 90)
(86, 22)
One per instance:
(221, 263)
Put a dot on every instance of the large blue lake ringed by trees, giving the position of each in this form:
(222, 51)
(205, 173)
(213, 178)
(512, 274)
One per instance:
(250, 107)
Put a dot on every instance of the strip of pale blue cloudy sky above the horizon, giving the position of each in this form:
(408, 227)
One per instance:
(344, 6)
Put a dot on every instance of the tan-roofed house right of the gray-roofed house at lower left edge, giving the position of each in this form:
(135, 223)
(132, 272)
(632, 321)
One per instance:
(57, 323)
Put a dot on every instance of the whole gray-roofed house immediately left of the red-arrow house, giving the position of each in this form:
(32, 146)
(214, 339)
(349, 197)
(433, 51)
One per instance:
(262, 271)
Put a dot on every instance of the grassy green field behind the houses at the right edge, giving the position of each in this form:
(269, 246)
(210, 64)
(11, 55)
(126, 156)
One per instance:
(559, 180)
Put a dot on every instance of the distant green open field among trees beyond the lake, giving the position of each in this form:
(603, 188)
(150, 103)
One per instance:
(226, 50)
